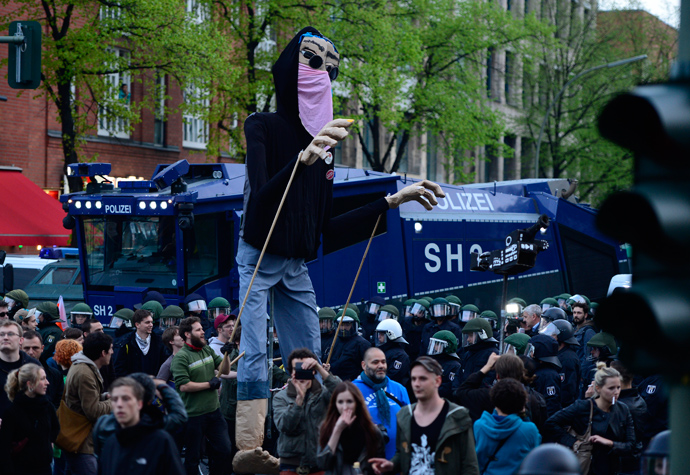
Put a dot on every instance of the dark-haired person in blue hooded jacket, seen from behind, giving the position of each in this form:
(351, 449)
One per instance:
(503, 439)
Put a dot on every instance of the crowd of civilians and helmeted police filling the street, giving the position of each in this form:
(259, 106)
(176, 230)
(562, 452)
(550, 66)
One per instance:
(415, 387)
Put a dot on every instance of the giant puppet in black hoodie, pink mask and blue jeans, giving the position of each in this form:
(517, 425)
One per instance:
(297, 135)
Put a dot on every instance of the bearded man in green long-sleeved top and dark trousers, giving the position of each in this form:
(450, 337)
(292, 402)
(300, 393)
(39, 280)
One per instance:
(193, 369)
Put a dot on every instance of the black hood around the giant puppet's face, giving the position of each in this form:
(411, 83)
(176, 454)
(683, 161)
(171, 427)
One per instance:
(285, 79)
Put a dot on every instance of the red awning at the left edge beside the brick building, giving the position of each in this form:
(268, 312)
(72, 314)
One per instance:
(28, 215)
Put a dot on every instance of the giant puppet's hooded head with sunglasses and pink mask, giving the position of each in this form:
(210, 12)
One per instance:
(302, 76)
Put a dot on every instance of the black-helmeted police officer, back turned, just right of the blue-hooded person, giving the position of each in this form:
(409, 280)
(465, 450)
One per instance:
(548, 382)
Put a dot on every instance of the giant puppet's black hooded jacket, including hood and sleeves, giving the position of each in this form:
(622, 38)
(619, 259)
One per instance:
(274, 141)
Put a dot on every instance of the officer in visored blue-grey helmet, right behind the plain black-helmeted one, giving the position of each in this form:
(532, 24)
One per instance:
(563, 332)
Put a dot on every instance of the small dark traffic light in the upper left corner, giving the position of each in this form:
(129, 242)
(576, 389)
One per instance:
(24, 60)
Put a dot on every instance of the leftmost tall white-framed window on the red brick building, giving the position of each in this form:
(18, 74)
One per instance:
(111, 111)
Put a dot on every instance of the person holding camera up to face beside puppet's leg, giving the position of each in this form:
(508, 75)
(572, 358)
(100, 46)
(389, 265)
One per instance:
(298, 410)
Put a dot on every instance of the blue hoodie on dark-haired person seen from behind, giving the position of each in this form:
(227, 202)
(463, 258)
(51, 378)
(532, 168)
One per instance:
(520, 437)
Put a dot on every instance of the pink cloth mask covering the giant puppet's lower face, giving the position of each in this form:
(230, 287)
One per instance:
(314, 97)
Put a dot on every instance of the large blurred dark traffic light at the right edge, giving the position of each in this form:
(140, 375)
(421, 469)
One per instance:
(651, 320)
